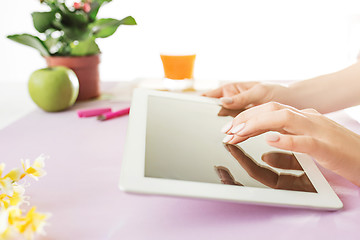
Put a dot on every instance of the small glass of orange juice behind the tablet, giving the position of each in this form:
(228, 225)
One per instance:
(178, 69)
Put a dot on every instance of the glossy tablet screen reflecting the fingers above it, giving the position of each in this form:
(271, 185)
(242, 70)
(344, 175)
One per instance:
(184, 145)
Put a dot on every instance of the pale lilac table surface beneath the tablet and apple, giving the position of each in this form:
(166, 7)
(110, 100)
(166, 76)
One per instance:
(81, 189)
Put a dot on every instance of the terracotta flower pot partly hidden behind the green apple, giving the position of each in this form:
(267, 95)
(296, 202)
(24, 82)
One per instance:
(86, 69)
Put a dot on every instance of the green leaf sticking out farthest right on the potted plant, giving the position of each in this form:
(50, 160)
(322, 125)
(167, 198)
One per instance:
(106, 27)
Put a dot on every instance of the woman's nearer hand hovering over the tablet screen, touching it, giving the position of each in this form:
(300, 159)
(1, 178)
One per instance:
(306, 131)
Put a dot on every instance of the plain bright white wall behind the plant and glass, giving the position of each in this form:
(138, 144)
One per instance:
(233, 39)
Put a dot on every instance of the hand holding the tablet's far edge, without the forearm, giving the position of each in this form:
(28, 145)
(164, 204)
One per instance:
(244, 95)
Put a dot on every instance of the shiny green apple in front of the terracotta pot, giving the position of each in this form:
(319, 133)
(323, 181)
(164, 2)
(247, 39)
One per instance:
(53, 89)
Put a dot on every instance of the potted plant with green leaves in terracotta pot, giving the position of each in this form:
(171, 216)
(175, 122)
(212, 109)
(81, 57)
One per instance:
(67, 34)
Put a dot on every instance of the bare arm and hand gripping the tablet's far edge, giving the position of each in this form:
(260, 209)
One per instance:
(326, 93)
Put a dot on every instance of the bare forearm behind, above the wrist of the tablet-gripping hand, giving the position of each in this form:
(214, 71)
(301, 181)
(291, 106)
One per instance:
(326, 93)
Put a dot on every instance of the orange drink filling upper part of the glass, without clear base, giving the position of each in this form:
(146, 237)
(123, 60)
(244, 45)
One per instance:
(178, 67)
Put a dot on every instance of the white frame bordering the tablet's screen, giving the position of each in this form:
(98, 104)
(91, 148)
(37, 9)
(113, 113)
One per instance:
(132, 178)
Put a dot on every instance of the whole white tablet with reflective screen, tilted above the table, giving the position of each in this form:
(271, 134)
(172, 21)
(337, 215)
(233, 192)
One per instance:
(174, 147)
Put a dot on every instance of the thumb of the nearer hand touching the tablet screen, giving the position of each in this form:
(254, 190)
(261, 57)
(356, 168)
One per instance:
(295, 143)
